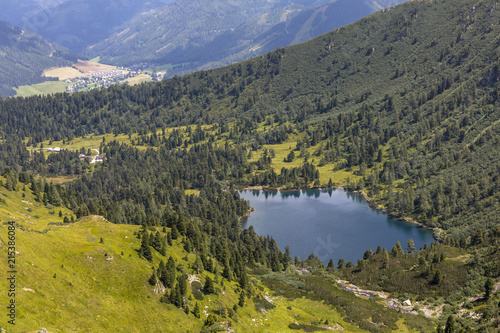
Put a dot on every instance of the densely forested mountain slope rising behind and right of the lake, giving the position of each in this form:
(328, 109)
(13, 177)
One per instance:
(417, 83)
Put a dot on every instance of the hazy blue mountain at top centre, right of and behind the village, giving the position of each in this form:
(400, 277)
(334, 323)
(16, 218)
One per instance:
(195, 34)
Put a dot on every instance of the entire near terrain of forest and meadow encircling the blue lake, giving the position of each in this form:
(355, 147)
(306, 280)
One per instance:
(401, 107)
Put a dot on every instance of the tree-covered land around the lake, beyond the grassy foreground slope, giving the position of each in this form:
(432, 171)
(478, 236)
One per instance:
(403, 104)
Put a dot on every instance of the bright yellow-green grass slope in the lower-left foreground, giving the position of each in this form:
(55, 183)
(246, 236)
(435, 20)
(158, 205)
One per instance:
(68, 280)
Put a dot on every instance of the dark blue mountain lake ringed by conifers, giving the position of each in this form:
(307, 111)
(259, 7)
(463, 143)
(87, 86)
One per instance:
(331, 224)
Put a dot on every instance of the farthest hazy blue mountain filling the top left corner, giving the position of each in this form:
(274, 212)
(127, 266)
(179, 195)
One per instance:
(75, 24)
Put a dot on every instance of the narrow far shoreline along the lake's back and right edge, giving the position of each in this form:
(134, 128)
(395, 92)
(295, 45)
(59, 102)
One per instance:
(436, 231)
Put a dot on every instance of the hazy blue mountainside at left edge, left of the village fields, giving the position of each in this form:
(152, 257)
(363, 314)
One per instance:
(24, 56)
